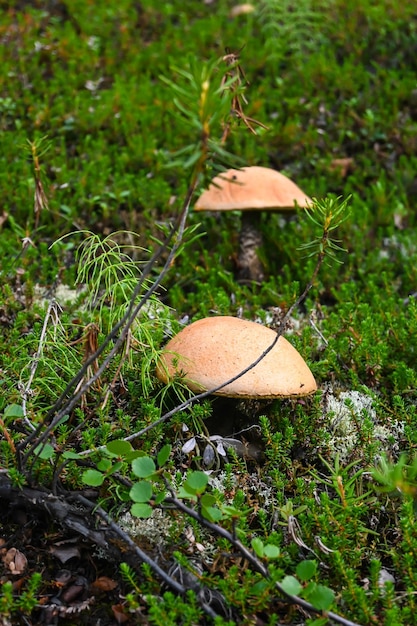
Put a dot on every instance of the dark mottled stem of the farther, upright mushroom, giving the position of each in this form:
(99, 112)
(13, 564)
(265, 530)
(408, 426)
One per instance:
(250, 240)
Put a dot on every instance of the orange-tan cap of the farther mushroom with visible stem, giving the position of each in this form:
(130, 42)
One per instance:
(252, 188)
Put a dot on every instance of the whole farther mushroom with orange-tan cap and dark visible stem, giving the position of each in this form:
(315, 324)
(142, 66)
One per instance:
(251, 190)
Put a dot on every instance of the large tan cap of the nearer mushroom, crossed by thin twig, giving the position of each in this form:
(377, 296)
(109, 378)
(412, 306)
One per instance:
(213, 350)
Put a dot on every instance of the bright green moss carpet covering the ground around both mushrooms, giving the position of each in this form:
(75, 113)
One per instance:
(333, 80)
